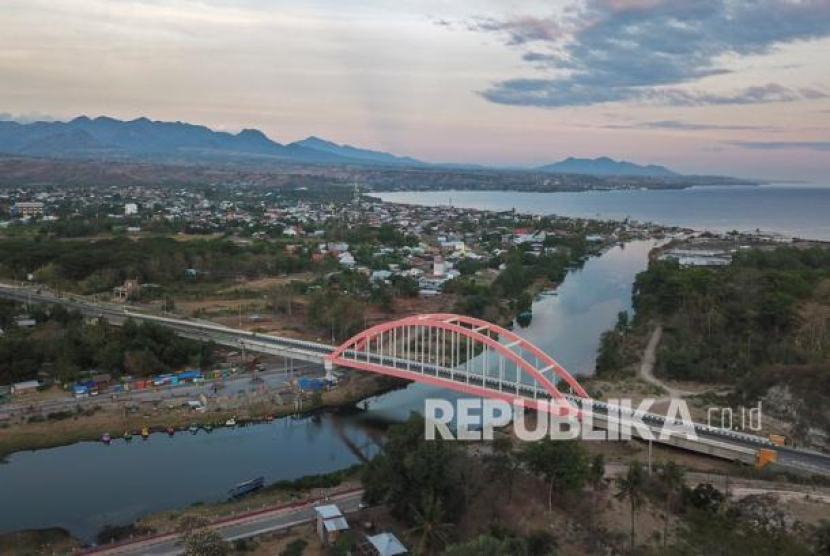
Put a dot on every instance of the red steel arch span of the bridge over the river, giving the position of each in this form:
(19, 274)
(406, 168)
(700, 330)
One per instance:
(465, 354)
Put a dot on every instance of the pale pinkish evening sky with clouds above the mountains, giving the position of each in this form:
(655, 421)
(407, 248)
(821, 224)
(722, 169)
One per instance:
(736, 87)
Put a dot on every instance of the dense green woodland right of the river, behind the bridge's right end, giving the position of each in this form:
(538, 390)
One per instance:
(760, 322)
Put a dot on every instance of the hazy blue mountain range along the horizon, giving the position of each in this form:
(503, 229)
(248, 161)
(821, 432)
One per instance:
(105, 137)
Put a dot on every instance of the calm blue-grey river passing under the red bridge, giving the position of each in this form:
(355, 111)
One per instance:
(87, 485)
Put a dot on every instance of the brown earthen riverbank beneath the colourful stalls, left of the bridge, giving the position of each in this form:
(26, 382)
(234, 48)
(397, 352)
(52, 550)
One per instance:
(90, 426)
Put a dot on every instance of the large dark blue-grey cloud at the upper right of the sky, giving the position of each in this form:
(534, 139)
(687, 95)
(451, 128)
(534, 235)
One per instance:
(649, 50)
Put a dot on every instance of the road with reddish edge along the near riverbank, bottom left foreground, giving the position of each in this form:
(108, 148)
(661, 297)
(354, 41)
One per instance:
(239, 527)
